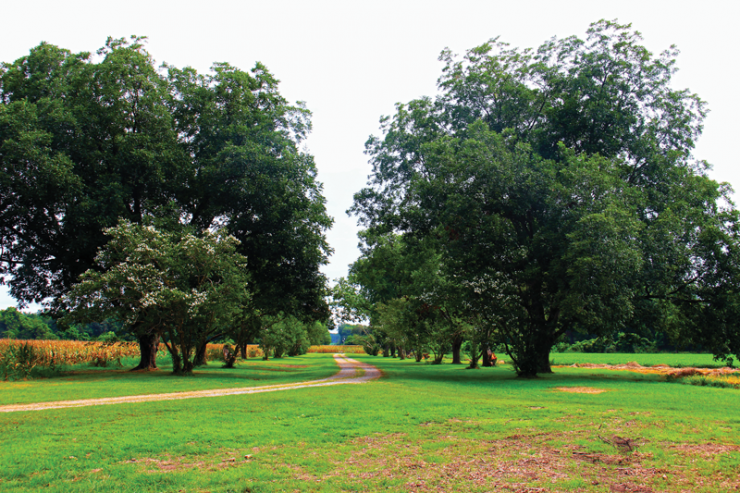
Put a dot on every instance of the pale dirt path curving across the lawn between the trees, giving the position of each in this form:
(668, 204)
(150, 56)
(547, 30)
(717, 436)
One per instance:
(351, 371)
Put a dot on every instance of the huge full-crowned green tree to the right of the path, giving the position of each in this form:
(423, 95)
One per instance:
(562, 189)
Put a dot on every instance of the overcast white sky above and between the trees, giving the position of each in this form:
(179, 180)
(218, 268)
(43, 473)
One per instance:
(351, 61)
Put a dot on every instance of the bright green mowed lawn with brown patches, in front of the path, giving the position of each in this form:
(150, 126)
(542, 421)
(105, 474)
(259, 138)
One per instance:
(419, 428)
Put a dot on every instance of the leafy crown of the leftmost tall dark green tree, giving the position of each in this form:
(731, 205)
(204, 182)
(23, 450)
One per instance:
(82, 144)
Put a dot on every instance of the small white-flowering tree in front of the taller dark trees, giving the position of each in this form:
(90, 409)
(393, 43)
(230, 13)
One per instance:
(181, 288)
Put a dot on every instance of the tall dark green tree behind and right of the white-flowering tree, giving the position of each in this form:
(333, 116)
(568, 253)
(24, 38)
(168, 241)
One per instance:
(247, 174)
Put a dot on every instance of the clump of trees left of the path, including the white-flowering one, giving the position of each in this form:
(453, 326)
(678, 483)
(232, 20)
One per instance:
(186, 190)
